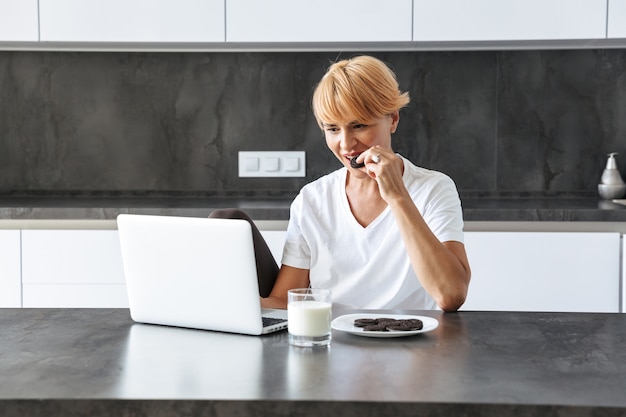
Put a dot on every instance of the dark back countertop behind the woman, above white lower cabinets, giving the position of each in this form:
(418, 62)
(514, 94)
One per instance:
(570, 209)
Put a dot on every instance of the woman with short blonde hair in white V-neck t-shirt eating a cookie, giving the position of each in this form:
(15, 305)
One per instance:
(379, 232)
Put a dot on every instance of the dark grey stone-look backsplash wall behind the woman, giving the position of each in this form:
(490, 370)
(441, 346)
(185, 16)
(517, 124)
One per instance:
(495, 121)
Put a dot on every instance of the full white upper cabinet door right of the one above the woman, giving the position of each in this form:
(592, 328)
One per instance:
(493, 20)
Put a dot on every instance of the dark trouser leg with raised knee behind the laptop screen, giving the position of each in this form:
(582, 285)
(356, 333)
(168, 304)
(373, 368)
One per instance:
(266, 267)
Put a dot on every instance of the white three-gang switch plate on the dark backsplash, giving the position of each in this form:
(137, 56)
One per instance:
(272, 164)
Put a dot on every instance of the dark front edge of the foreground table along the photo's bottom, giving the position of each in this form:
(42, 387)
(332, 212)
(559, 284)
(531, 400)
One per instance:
(193, 407)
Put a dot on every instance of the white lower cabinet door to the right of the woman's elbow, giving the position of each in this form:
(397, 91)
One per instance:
(530, 271)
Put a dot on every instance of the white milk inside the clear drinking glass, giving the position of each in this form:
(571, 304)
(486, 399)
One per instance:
(309, 318)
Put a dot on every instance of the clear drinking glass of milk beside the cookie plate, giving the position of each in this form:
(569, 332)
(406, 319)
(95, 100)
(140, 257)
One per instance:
(309, 315)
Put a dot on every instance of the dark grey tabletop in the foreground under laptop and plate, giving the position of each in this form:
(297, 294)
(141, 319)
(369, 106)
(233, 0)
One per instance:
(97, 362)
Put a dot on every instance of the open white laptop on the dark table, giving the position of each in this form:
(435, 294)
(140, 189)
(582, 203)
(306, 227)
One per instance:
(194, 272)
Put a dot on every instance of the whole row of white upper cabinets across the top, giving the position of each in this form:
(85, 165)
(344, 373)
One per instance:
(257, 25)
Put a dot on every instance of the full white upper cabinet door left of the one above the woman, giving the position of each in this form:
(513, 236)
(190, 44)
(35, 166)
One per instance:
(132, 20)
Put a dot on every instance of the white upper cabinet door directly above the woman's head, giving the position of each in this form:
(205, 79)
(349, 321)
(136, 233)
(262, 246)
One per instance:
(318, 21)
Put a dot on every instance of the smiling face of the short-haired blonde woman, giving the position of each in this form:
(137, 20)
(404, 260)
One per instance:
(347, 140)
